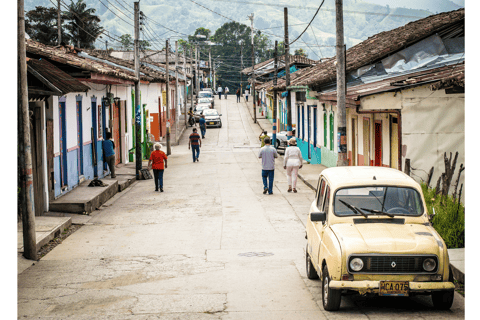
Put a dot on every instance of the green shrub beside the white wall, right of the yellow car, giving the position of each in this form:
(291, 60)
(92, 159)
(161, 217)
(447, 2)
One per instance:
(449, 218)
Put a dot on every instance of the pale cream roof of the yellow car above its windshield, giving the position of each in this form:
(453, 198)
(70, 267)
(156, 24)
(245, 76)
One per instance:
(363, 176)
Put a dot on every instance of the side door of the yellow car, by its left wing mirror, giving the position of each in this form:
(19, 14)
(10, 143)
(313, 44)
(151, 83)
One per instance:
(315, 229)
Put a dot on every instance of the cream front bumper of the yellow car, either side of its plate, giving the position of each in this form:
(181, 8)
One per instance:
(365, 286)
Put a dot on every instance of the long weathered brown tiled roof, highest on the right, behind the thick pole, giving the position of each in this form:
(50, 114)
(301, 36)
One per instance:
(377, 47)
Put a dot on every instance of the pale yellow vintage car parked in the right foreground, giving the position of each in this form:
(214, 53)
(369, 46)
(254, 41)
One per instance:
(368, 231)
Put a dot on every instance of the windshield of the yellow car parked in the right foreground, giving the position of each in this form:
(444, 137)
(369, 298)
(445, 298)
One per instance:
(377, 200)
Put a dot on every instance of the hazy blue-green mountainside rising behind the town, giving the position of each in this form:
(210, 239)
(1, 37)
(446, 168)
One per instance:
(362, 19)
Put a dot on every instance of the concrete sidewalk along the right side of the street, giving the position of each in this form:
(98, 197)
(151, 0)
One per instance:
(309, 175)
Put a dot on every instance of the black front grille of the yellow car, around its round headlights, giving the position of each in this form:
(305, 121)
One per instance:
(393, 264)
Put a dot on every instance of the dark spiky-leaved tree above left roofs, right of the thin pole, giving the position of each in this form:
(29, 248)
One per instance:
(84, 25)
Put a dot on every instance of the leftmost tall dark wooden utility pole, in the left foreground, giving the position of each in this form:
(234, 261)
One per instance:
(24, 153)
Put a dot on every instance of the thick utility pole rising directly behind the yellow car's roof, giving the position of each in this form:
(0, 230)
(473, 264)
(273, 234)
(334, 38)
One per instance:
(341, 86)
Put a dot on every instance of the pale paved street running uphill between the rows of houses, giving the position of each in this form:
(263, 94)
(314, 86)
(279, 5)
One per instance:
(212, 246)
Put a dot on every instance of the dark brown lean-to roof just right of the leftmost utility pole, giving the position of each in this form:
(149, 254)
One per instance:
(57, 77)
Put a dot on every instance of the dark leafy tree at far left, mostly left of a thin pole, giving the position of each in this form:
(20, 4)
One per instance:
(41, 25)
